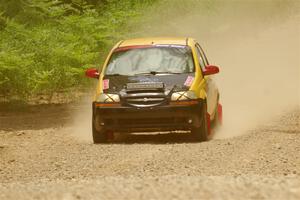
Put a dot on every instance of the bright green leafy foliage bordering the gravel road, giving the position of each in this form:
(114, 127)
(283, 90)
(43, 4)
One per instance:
(45, 45)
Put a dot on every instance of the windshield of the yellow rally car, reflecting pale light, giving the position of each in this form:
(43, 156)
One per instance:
(168, 59)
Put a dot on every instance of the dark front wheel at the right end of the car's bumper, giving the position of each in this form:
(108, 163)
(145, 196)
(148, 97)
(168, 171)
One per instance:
(201, 133)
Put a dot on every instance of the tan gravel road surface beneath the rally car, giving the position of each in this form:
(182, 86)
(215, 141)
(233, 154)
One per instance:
(41, 159)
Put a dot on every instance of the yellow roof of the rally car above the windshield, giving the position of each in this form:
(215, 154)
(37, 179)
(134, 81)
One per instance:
(155, 40)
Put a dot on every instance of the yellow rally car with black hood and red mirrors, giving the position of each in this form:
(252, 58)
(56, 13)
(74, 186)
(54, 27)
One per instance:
(155, 84)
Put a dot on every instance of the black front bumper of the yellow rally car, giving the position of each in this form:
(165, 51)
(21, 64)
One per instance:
(159, 118)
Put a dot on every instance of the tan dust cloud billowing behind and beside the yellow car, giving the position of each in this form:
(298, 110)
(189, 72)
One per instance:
(255, 43)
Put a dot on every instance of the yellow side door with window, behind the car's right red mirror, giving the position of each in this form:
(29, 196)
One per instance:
(211, 88)
